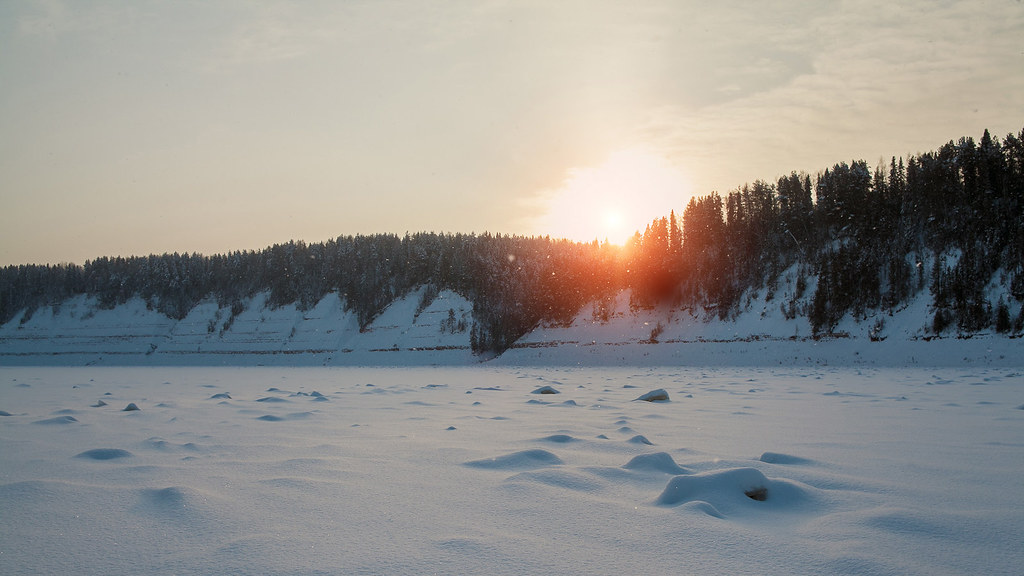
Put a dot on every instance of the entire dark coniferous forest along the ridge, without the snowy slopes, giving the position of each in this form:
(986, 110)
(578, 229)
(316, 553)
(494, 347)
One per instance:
(950, 224)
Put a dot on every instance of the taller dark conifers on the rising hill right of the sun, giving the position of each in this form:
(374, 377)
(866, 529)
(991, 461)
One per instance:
(950, 222)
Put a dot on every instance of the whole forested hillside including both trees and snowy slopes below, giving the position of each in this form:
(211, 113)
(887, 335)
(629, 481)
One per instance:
(930, 250)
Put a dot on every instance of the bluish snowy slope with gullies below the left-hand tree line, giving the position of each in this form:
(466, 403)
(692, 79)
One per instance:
(78, 333)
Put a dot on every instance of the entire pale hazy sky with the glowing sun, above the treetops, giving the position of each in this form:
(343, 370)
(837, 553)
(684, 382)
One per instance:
(135, 128)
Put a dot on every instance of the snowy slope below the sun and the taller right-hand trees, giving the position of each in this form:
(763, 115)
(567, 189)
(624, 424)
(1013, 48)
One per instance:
(761, 336)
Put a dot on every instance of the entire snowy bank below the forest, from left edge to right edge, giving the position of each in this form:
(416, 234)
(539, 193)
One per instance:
(765, 334)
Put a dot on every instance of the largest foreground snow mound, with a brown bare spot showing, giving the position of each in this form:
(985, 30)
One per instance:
(732, 491)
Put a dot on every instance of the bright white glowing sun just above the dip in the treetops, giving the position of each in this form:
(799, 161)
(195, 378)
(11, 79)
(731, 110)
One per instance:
(615, 199)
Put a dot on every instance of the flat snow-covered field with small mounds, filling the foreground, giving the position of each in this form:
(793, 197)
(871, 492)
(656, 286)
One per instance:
(466, 471)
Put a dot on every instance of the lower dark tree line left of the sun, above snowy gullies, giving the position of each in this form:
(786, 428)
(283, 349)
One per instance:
(514, 282)
